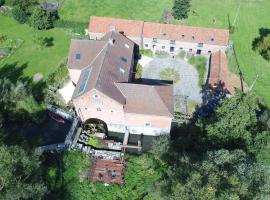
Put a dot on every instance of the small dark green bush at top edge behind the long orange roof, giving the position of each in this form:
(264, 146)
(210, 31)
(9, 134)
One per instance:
(181, 9)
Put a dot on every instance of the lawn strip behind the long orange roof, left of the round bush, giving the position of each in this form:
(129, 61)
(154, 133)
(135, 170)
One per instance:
(80, 11)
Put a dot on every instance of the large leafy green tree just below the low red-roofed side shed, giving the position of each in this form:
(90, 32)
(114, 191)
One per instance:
(236, 123)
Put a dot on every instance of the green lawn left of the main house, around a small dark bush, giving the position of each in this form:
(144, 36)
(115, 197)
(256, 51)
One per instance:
(39, 60)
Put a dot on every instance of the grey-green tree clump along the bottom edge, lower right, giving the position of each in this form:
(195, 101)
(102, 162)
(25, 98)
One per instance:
(220, 174)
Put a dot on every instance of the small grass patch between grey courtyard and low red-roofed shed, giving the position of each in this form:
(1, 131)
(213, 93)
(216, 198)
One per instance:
(199, 62)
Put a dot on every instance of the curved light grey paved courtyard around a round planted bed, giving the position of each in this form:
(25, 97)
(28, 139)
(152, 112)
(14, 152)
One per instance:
(188, 84)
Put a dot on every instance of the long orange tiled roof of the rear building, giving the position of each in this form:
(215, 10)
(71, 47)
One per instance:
(161, 31)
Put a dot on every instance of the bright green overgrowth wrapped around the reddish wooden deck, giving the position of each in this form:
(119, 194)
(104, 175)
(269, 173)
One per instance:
(66, 176)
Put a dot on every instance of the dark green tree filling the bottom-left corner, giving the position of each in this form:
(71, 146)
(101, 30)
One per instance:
(19, 177)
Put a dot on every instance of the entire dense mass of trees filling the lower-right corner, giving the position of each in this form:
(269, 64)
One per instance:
(216, 158)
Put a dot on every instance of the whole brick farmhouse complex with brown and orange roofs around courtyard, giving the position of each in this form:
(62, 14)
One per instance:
(102, 70)
